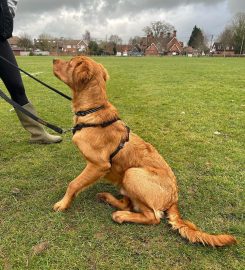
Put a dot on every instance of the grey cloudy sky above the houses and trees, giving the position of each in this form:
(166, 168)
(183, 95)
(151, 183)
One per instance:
(126, 18)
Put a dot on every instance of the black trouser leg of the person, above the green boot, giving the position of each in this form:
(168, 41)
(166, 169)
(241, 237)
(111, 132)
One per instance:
(11, 76)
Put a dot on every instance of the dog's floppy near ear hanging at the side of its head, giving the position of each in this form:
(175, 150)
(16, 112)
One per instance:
(83, 73)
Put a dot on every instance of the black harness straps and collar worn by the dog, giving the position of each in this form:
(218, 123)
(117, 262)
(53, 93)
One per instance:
(102, 125)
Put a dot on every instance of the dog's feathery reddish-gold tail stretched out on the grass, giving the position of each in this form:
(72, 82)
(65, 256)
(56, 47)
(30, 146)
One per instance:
(193, 234)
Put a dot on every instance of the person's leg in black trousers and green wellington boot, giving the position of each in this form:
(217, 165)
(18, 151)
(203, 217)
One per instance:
(13, 82)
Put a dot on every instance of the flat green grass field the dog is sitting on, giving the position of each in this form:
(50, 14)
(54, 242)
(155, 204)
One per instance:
(191, 109)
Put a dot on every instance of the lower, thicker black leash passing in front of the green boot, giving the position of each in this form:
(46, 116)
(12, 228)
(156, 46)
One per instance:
(34, 117)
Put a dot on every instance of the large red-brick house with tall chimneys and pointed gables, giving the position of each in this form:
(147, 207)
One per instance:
(162, 45)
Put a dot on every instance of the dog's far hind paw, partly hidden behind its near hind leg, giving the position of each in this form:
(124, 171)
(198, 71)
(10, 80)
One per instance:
(122, 204)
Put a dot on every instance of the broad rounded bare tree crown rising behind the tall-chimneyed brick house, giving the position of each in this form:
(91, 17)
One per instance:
(157, 27)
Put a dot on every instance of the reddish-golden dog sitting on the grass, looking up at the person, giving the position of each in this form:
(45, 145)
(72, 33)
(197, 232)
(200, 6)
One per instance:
(146, 182)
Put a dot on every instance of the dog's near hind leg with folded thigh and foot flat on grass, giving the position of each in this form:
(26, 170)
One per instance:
(149, 196)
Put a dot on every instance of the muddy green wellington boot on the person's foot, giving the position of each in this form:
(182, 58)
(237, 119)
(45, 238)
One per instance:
(38, 134)
